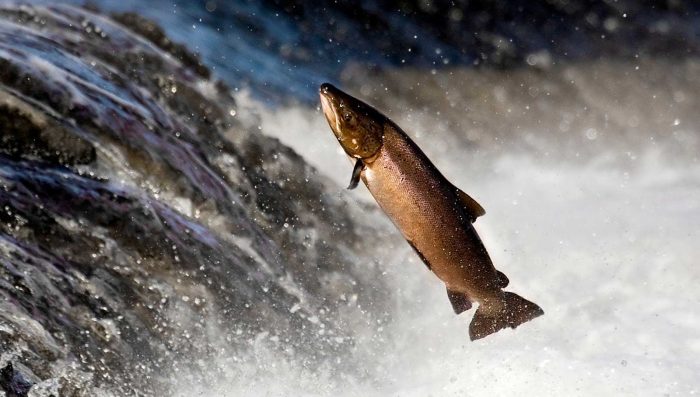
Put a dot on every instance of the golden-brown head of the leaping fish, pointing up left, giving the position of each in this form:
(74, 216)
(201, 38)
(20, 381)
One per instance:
(358, 127)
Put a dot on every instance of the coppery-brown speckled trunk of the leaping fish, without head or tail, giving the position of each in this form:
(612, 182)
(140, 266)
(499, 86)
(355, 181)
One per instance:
(425, 207)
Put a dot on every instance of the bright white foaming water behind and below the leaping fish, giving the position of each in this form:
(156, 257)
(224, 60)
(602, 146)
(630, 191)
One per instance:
(605, 241)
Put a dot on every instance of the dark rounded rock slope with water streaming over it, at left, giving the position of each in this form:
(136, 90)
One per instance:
(142, 226)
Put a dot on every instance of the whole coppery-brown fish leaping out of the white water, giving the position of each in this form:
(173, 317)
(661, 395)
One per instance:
(433, 215)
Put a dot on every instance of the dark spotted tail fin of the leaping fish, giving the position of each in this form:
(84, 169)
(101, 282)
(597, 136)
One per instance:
(515, 311)
